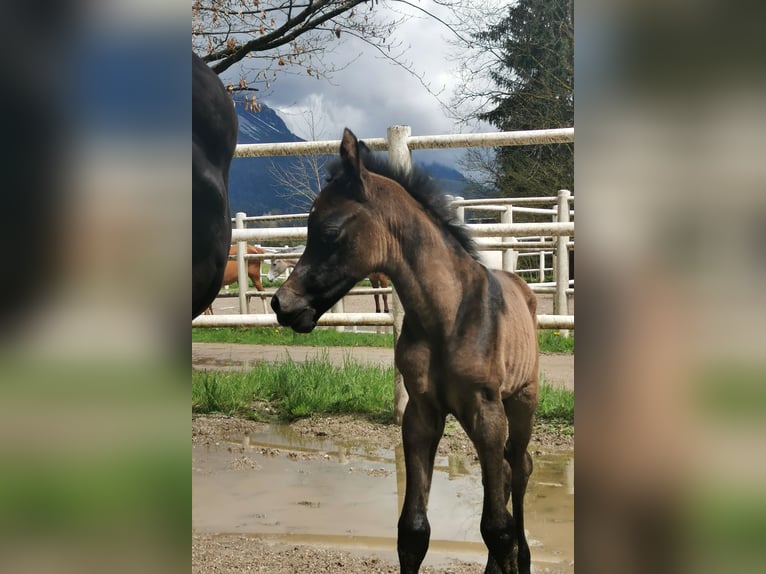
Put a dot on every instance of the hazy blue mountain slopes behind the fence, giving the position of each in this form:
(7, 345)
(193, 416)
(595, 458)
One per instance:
(253, 184)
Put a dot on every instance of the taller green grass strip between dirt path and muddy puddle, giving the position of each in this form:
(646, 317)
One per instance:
(290, 390)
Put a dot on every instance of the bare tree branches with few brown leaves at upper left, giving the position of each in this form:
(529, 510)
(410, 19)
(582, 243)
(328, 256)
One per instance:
(289, 36)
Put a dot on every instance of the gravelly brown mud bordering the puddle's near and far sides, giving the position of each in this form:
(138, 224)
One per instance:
(224, 553)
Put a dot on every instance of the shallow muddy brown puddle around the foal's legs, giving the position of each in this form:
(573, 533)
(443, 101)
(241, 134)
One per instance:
(281, 486)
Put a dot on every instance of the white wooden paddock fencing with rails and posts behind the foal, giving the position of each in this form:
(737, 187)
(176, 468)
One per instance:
(547, 240)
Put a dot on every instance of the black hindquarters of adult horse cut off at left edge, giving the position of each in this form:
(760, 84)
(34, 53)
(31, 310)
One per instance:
(214, 137)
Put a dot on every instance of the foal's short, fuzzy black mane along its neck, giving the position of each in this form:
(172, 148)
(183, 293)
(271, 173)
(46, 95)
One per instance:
(422, 188)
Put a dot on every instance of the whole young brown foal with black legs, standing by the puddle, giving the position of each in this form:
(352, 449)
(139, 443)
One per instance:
(469, 350)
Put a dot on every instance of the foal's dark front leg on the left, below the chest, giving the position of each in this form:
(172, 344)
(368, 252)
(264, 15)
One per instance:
(422, 428)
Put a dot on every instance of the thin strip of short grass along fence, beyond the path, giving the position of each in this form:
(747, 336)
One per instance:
(550, 341)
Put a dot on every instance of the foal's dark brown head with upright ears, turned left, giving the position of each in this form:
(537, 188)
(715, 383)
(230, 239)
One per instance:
(345, 241)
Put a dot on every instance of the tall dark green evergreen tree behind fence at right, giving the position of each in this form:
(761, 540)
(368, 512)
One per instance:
(535, 81)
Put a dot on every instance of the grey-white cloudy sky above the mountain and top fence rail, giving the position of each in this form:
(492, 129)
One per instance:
(372, 93)
